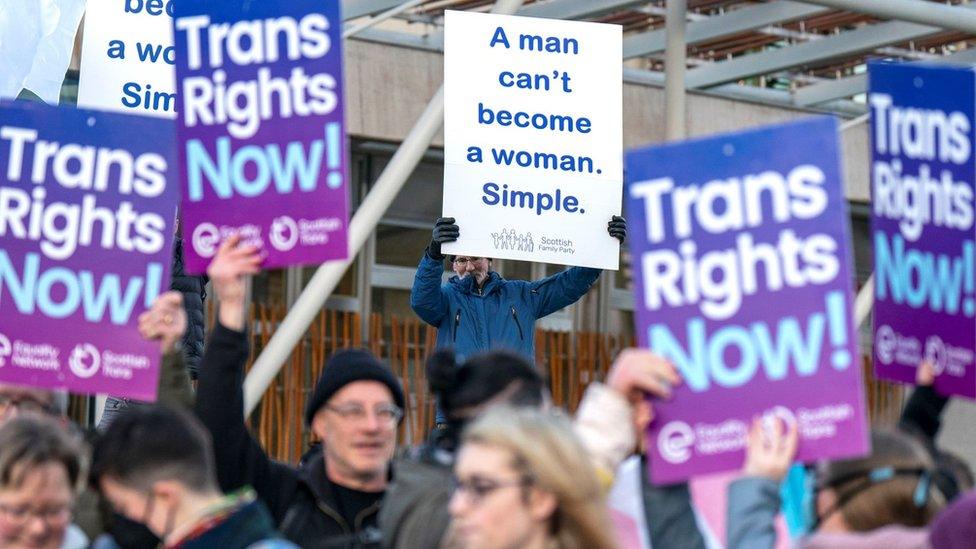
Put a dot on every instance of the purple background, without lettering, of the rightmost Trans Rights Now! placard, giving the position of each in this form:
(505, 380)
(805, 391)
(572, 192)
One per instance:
(948, 89)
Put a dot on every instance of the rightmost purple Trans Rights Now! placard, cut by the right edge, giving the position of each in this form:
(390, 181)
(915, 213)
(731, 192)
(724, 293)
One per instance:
(922, 189)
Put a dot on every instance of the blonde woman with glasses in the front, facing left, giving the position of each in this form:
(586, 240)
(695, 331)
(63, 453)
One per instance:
(524, 481)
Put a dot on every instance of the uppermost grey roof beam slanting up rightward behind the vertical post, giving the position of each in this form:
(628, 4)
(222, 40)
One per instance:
(731, 23)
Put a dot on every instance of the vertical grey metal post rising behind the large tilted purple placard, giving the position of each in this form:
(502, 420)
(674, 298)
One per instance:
(675, 61)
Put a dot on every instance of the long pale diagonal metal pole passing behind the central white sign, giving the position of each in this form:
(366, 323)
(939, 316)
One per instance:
(328, 275)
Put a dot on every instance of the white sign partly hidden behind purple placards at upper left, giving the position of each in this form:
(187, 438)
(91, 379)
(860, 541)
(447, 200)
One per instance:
(127, 57)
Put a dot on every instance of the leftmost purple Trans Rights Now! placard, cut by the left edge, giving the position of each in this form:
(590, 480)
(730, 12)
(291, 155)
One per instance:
(87, 214)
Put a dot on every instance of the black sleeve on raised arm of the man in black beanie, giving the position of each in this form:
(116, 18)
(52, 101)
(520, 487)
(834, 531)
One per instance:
(239, 458)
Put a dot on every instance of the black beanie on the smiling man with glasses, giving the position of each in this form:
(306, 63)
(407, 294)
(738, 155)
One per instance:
(345, 367)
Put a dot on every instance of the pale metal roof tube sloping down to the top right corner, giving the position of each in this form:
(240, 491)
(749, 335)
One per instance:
(917, 11)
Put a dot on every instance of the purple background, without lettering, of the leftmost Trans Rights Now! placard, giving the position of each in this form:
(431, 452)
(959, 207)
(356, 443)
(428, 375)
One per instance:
(138, 135)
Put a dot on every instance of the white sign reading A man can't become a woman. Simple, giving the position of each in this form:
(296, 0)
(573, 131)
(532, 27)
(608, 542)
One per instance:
(533, 138)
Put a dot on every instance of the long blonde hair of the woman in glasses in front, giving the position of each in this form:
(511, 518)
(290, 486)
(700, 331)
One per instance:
(545, 450)
